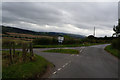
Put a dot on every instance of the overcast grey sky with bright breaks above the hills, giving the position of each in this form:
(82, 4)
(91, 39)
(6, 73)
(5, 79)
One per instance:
(68, 17)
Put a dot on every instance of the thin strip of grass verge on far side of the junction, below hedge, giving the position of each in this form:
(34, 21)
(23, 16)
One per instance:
(56, 46)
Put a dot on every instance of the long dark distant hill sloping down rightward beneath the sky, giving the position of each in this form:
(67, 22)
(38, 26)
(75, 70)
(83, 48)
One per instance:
(9, 29)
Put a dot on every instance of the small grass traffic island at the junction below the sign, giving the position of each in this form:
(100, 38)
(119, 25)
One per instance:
(67, 51)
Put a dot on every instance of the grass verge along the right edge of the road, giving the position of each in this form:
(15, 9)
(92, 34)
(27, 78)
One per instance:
(113, 51)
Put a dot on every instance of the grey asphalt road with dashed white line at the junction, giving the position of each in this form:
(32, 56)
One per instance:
(91, 62)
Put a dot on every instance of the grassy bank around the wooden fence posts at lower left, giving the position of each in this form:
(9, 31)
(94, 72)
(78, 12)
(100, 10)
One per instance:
(19, 69)
